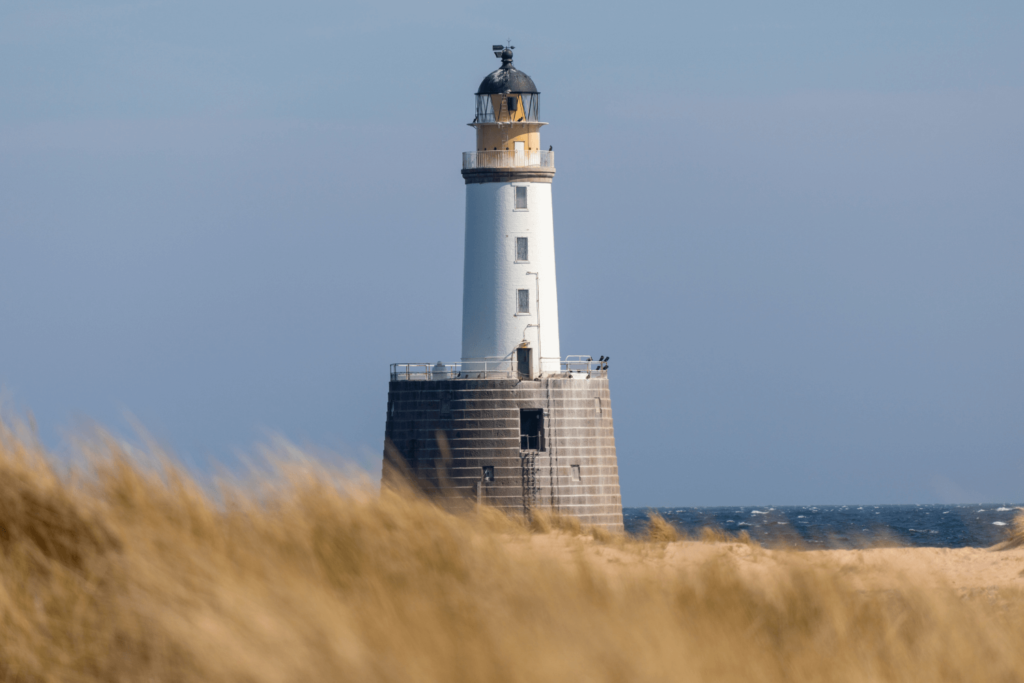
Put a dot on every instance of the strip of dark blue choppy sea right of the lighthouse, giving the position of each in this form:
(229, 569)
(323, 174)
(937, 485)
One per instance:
(838, 526)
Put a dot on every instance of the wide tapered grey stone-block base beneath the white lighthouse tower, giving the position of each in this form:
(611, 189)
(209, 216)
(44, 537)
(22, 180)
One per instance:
(520, 446)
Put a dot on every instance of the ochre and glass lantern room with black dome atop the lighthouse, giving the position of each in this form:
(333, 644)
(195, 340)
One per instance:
(508, 109)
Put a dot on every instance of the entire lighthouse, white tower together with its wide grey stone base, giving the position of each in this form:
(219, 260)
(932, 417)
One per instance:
(514, 424)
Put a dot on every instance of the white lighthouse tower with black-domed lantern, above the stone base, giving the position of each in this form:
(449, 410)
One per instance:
(510, 296)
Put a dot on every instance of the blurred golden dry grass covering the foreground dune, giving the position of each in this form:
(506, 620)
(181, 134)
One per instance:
(130, 573)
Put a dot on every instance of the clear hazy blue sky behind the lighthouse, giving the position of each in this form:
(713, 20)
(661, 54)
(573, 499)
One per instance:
(796, 228)
